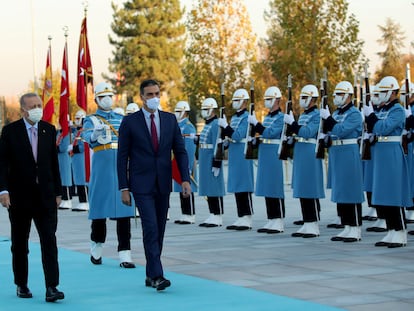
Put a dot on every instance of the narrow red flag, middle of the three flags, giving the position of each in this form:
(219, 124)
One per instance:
(64, 95)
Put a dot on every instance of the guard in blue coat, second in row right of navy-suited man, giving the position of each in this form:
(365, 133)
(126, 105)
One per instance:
(211, 178)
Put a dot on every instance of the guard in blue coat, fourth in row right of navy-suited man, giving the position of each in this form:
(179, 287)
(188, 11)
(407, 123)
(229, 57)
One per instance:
(269, 180)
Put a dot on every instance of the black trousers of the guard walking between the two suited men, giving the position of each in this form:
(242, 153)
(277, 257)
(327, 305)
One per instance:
(123, 231)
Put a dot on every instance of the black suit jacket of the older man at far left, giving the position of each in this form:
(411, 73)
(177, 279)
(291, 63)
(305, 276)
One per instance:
(18, 169)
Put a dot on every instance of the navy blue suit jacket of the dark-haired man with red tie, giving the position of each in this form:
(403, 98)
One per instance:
(148, 169)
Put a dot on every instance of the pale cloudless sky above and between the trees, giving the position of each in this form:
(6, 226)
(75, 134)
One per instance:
(25, 26)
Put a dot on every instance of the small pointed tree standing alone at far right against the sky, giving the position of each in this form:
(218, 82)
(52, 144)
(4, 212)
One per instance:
(392, 37)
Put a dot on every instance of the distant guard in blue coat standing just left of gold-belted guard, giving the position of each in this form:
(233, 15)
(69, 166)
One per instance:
(78, 163)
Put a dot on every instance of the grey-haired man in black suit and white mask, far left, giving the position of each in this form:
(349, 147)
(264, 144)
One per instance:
(30, 188)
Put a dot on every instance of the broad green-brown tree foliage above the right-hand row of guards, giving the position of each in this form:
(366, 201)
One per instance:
(305, 36)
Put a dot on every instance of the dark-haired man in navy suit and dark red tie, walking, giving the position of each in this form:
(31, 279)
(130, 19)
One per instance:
(146, 139)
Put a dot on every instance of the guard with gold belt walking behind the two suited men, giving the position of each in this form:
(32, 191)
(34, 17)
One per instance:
(101, 132)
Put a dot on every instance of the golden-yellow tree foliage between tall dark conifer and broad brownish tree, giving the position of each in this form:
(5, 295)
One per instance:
(220, 49)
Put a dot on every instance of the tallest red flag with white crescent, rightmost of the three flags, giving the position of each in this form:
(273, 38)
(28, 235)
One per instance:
(85, 74)
